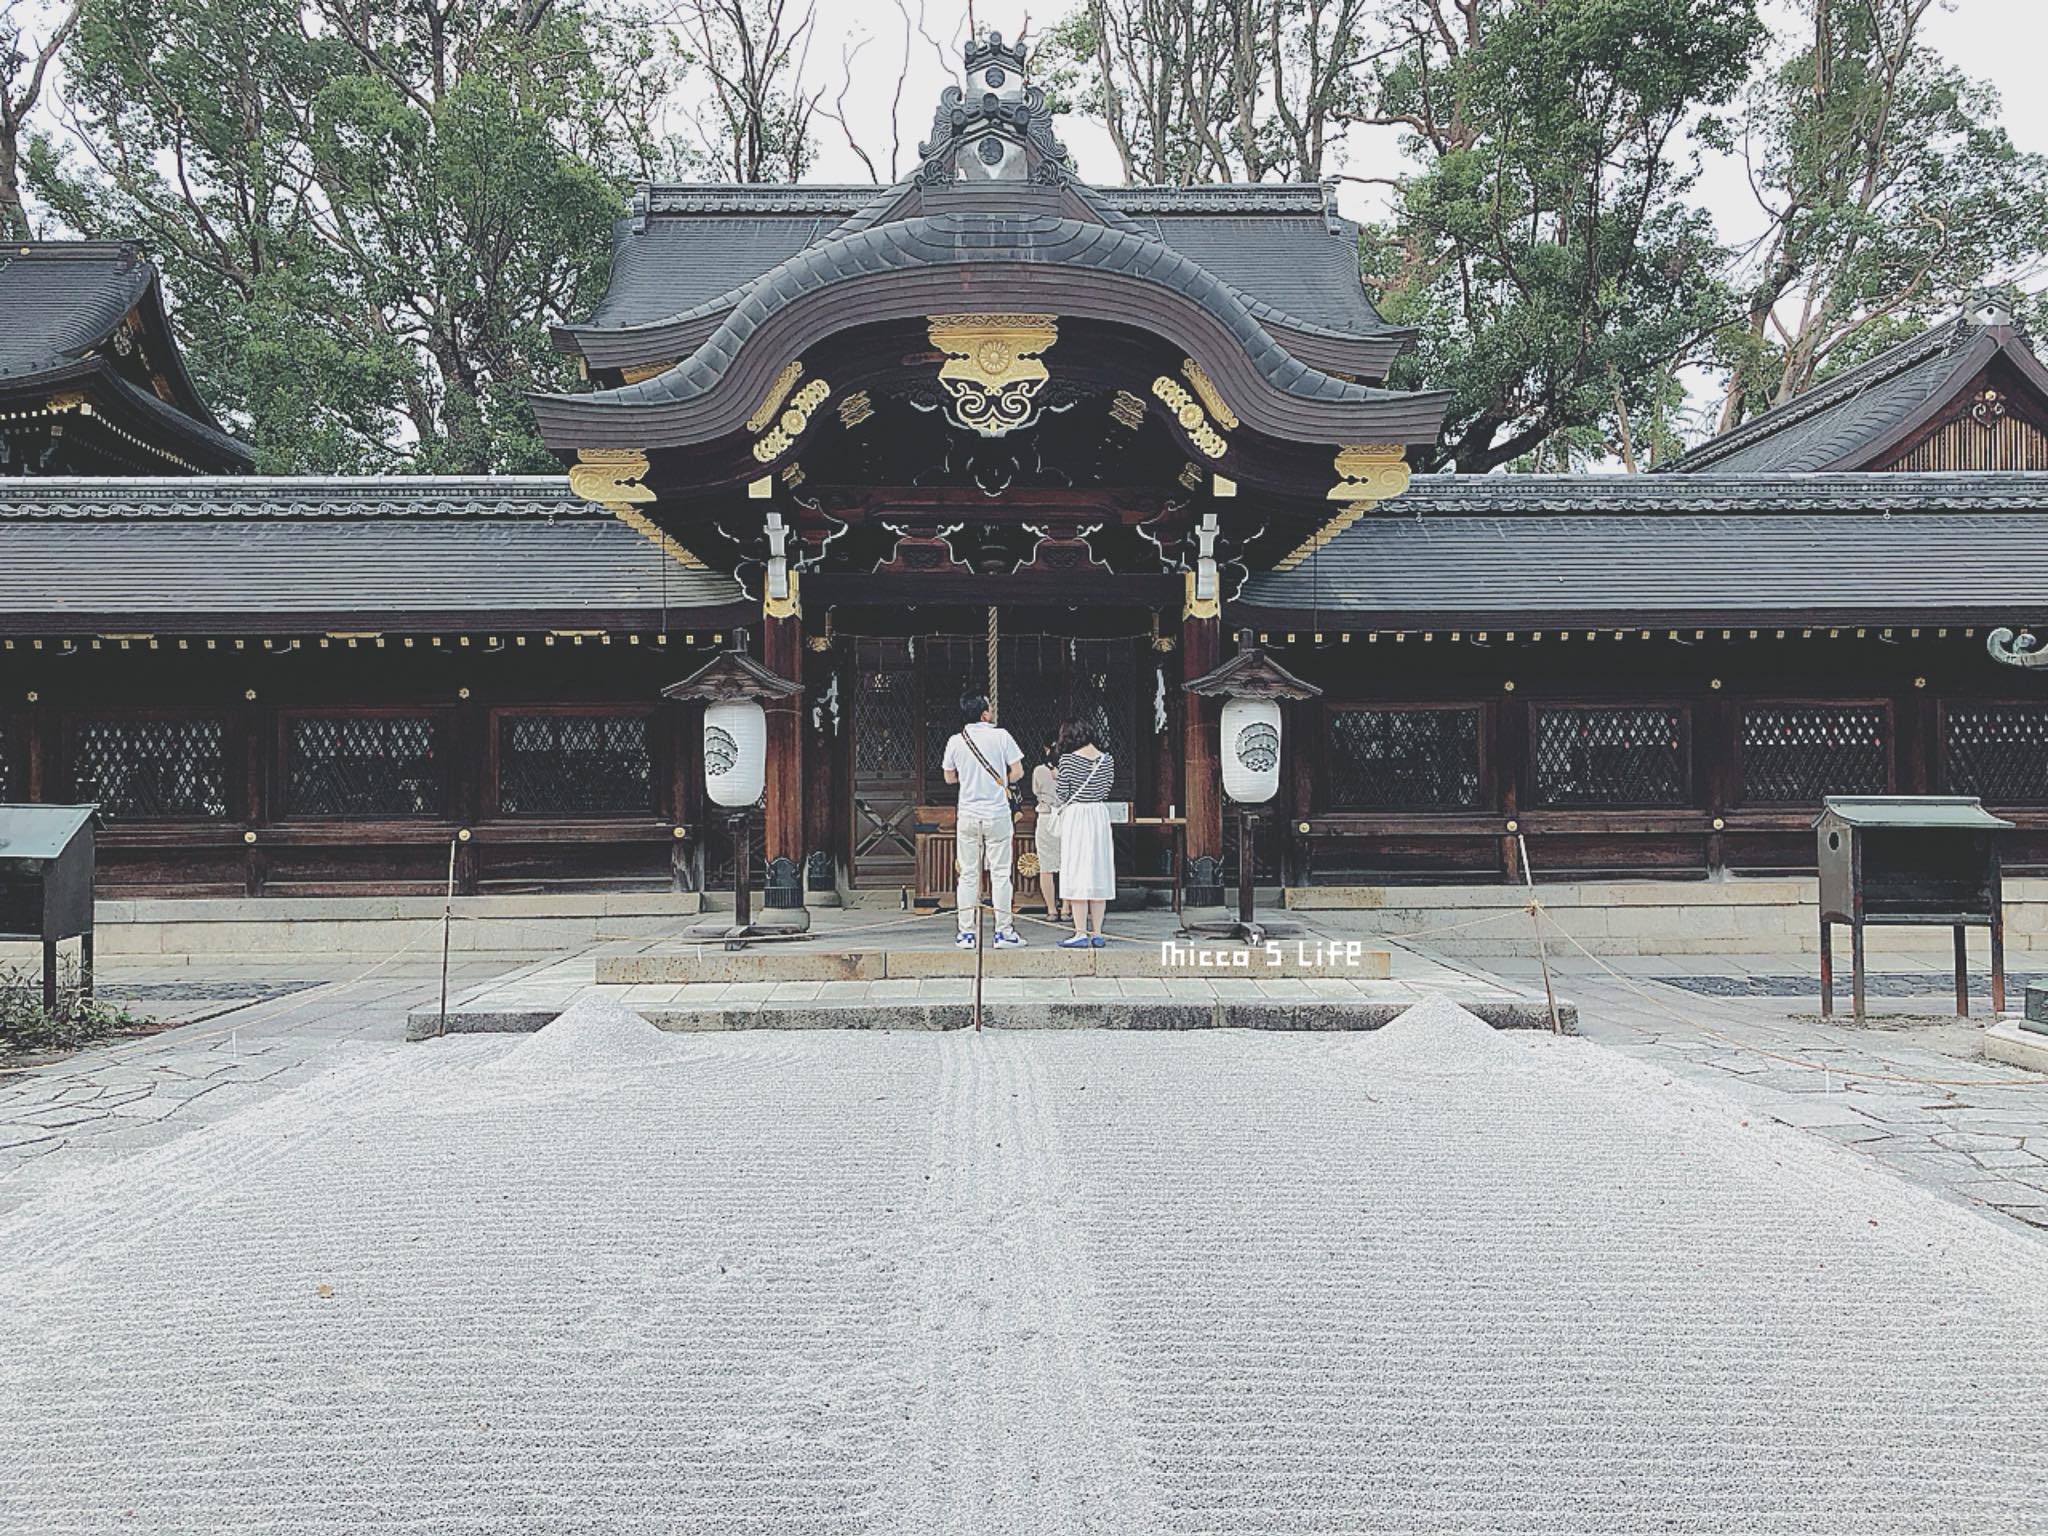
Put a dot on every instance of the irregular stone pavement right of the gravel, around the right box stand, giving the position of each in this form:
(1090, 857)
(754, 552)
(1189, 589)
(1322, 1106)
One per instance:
(1910, 1089)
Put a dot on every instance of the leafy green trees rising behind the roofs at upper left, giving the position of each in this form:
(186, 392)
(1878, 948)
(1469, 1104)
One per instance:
(368, 214)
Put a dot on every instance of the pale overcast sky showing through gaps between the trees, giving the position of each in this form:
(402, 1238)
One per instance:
(2004, 42)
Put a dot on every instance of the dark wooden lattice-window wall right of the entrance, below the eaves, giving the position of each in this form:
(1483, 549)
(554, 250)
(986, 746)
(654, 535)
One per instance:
(1820, 716)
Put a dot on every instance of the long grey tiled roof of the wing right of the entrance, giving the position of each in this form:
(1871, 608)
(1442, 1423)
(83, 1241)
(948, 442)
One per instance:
(1627, 550)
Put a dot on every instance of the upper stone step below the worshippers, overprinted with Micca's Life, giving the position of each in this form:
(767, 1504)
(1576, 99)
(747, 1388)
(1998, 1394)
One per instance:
(820, 962)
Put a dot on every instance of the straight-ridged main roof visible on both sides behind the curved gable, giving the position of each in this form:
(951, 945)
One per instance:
(1279, 245)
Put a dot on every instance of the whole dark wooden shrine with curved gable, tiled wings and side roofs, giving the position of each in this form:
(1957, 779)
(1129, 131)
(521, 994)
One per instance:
(994, 429)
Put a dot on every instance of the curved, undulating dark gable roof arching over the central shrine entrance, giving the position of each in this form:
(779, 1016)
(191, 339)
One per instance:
(1002, 253)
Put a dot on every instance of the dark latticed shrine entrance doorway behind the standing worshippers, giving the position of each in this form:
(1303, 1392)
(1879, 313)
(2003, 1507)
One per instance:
(906, 693)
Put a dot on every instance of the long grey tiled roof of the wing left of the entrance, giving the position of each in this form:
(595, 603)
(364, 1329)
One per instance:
(259, 552)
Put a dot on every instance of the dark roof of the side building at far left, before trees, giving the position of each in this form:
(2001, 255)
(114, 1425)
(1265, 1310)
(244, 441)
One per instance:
(87, 351)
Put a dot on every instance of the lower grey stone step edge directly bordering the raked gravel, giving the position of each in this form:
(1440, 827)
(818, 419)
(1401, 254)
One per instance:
(1076, 1015)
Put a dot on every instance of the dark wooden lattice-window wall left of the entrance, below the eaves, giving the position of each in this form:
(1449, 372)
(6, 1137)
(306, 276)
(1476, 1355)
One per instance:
(255, 822)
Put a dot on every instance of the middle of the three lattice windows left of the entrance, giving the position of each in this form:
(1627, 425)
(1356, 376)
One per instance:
(364, 767)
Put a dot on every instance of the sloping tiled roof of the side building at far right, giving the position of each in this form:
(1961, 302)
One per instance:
(1850, 419)
